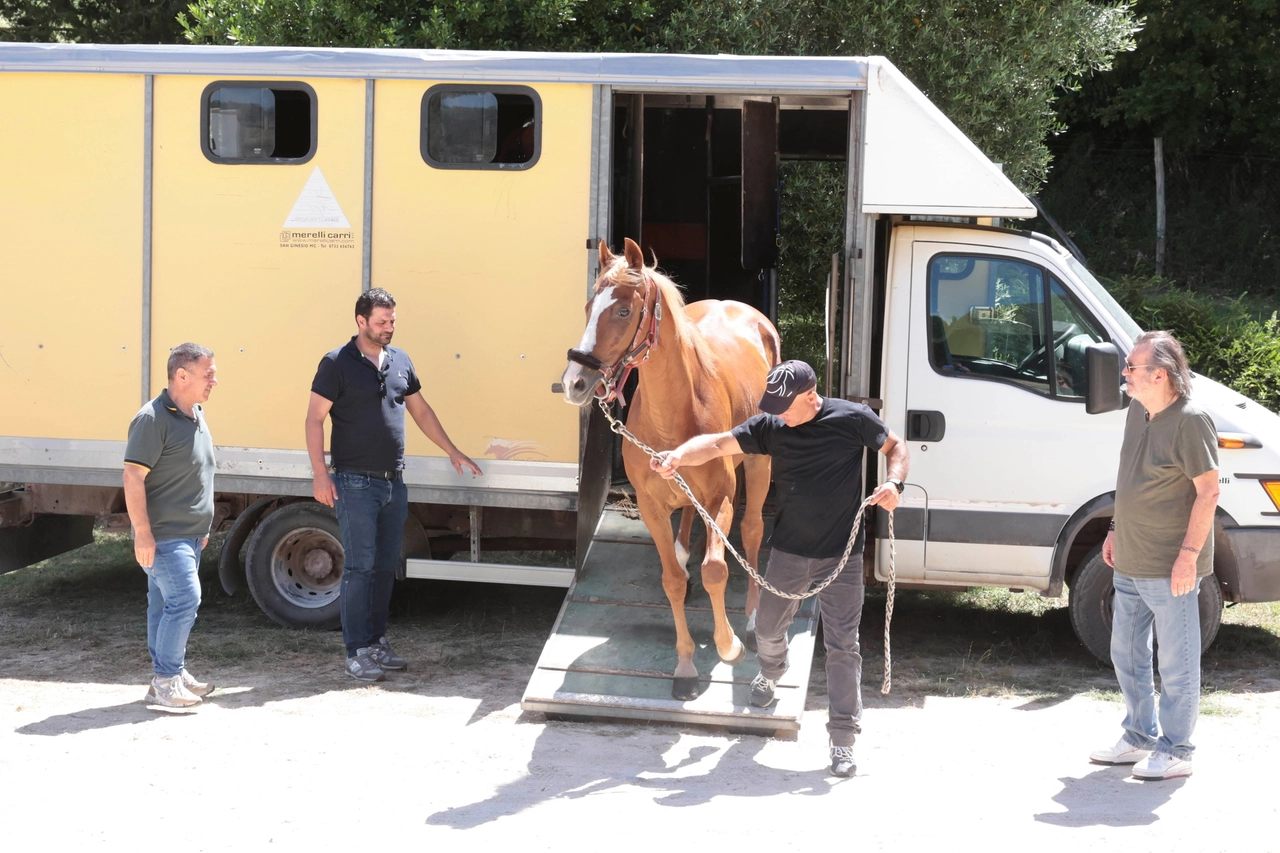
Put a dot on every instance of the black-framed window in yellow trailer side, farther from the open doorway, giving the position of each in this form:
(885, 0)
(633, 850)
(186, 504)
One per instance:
(267, 124)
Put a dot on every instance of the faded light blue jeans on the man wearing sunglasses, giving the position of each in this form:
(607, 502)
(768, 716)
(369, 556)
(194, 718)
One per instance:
(1141, 605)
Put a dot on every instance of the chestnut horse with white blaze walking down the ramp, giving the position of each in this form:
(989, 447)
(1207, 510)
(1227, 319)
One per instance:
(705, 371)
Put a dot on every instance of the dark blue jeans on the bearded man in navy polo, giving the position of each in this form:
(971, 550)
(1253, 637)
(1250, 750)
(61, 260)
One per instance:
(372, 516)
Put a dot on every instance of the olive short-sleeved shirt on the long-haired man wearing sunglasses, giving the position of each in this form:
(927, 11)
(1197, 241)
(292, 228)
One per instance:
(1155, 494)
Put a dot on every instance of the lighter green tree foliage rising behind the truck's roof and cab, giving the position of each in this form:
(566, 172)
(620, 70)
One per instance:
(993, 66)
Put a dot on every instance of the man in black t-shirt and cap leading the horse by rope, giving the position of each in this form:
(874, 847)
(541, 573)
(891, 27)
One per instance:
(817, 450)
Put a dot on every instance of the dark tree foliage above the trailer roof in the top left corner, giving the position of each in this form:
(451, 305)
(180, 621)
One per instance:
(138, 22)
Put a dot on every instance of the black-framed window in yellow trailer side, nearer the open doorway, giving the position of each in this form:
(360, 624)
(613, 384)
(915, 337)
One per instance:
(474, 127)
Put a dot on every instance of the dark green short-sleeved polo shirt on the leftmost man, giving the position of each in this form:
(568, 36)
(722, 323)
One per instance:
(179, 455)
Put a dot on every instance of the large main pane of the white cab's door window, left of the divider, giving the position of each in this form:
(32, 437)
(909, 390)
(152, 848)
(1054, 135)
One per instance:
(988, 321)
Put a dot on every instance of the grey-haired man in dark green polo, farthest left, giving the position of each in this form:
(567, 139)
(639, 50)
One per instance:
(170, 494)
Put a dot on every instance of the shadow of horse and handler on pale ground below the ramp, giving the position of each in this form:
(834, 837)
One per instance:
(659, 763)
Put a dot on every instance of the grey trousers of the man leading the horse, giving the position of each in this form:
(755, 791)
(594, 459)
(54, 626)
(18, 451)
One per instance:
(842, 609)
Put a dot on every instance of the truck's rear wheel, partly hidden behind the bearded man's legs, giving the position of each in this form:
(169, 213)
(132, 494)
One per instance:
(294, 567)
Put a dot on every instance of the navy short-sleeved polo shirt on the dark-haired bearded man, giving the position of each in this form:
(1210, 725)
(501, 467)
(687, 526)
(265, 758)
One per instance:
(368, 410)
